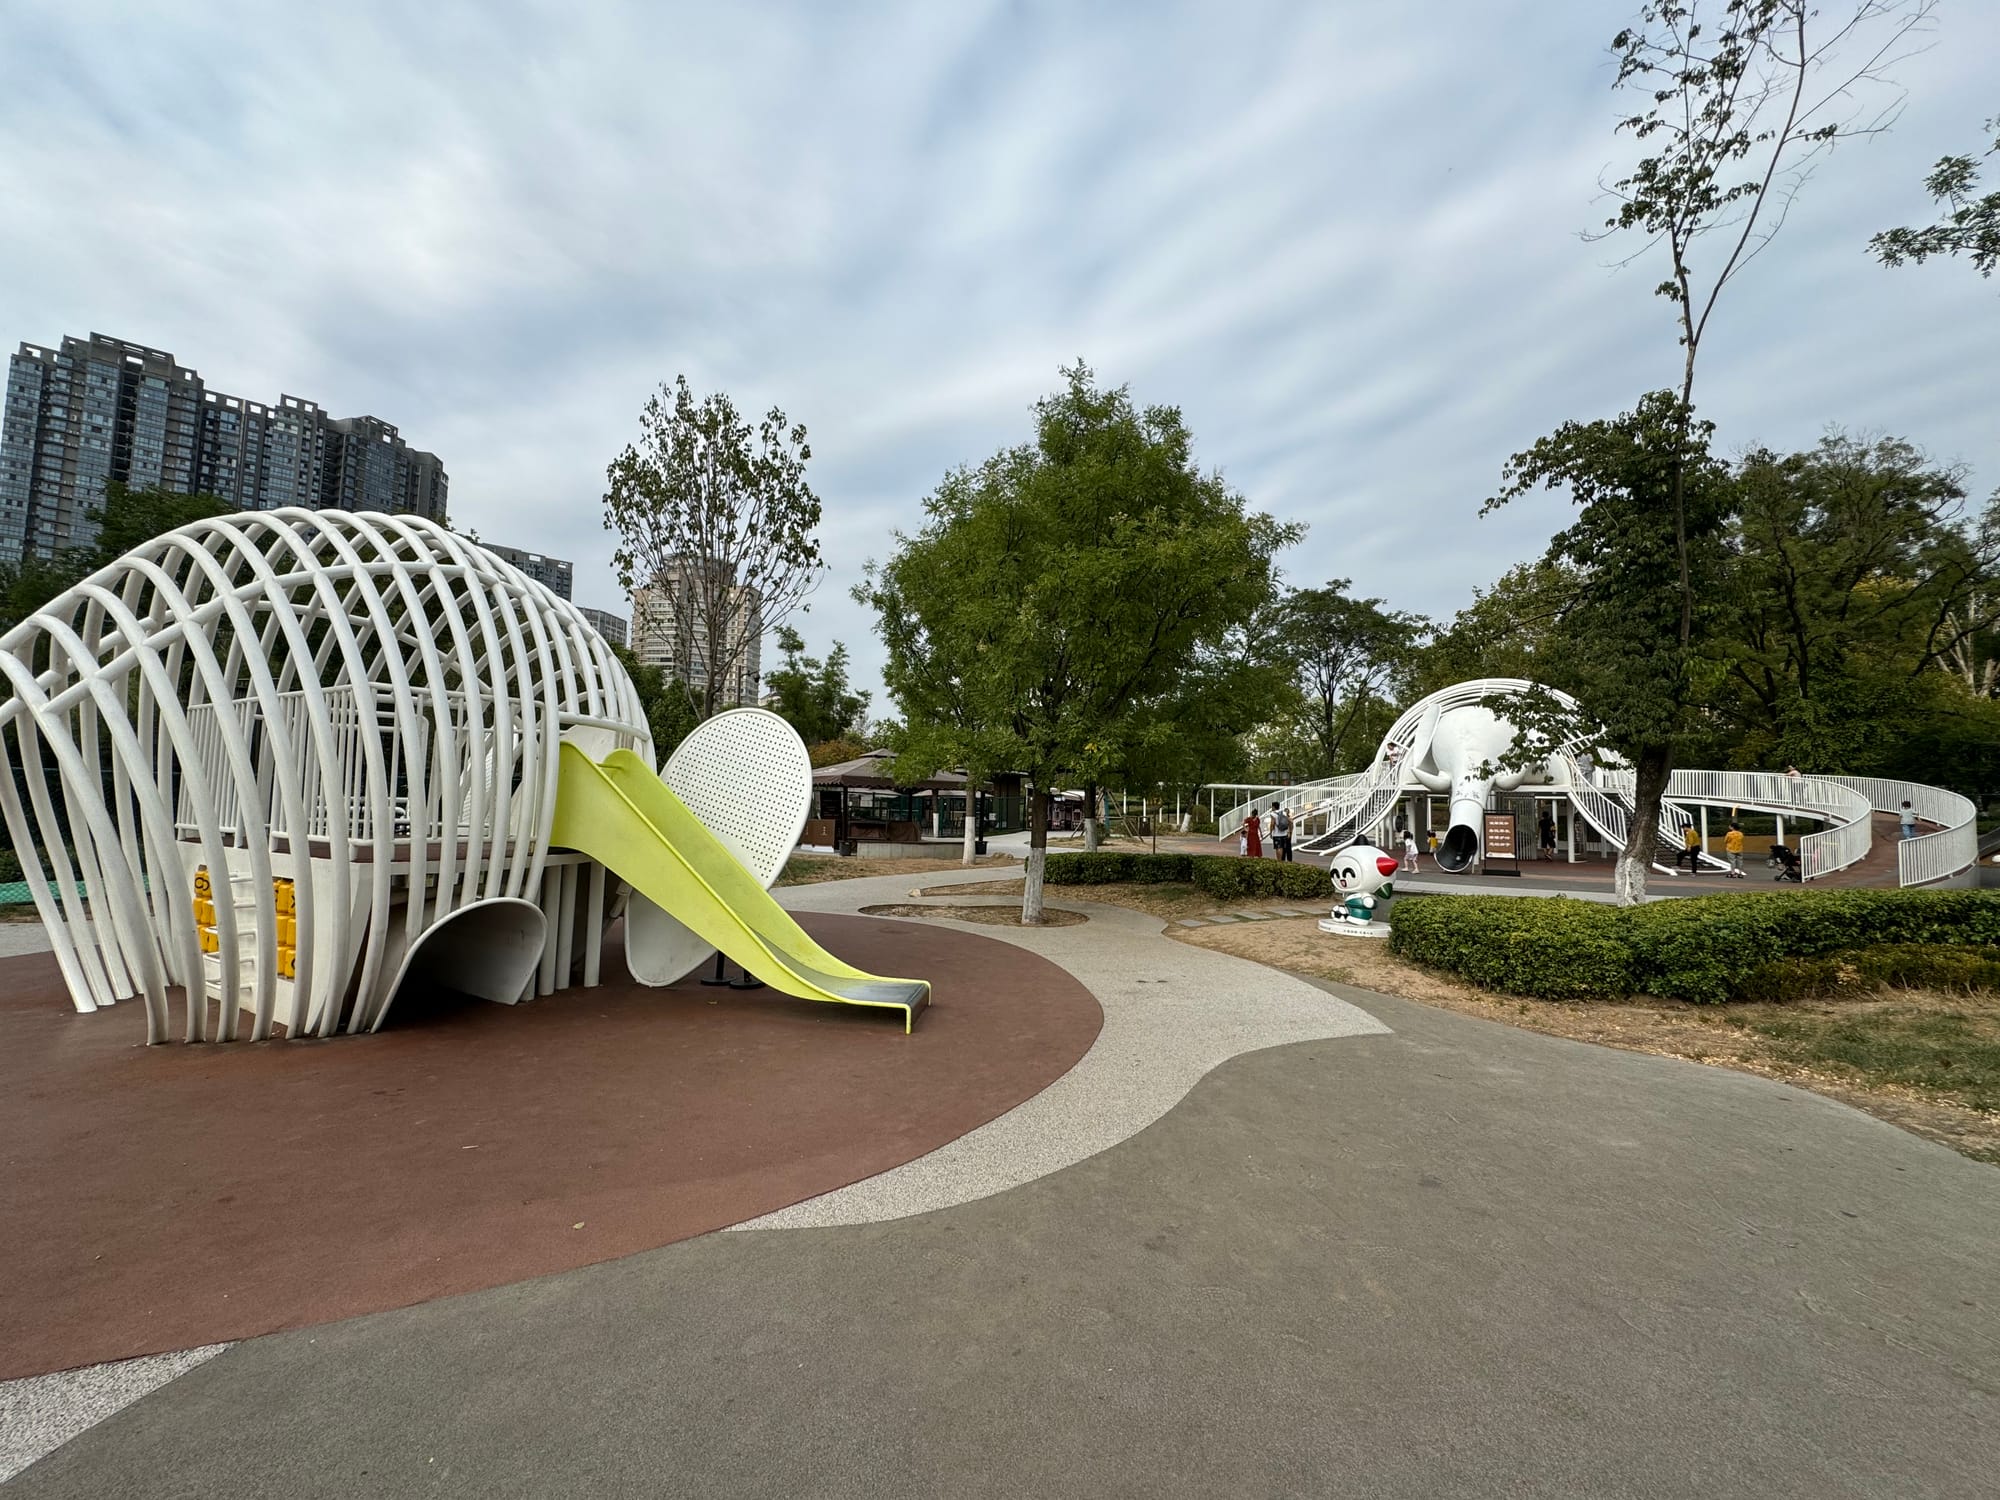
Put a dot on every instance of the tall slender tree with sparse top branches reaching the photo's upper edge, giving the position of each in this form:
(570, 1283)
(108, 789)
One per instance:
(1739, 103)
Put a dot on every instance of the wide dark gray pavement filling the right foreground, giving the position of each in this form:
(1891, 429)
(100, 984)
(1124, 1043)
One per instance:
(1449, 1261)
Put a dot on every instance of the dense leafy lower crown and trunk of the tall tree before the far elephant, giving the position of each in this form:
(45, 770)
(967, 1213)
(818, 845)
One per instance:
(1653, 507)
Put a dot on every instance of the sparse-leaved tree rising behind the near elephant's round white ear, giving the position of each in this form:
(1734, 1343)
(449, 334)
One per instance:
(717, 523)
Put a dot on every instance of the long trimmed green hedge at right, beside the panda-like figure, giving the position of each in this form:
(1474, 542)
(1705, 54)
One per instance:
(1703, 949)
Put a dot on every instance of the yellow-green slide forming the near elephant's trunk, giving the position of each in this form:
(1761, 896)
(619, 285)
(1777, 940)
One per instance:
(629, 821)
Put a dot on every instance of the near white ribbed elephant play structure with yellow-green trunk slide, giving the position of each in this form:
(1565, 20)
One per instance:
(289, 763)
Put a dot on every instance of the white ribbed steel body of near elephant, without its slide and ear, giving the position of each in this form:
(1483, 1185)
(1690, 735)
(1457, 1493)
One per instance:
(347, 725)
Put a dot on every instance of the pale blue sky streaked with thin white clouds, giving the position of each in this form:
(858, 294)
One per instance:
(1343, 239)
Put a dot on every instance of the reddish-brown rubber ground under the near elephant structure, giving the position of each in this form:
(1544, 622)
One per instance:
(169, 1197)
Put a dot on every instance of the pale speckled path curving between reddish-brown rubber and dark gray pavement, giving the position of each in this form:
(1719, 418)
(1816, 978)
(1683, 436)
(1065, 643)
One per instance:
(1171, 1015)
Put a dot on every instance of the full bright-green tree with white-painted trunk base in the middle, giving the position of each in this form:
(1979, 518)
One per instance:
(1059, 595)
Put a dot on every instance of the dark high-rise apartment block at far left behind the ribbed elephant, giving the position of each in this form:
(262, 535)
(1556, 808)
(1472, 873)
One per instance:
(103, 411)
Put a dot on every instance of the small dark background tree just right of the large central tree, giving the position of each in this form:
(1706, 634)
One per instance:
(1347, 653)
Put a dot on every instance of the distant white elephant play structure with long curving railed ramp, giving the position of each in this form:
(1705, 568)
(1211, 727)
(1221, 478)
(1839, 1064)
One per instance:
(1457, 745)
